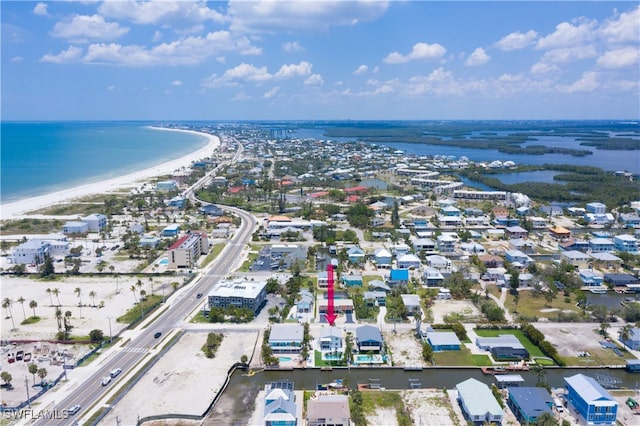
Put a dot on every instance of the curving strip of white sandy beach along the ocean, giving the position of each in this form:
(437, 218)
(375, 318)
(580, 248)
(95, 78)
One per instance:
(17, 209)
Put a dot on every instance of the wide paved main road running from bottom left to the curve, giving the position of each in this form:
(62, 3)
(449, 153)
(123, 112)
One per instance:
(143, 344)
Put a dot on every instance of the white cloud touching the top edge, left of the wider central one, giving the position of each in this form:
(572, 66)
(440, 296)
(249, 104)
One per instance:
(155, 12)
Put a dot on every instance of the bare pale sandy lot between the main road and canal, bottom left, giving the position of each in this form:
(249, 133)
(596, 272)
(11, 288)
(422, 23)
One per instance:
(183, 381)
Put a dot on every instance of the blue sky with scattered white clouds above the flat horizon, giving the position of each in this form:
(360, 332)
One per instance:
(263, 60)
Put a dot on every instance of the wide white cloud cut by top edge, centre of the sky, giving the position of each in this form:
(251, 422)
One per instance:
(309, 16)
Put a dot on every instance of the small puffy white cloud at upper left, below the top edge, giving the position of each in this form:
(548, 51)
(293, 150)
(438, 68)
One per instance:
(82, 28)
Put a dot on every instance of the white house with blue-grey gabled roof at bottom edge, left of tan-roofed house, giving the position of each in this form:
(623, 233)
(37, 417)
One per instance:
(280, 407)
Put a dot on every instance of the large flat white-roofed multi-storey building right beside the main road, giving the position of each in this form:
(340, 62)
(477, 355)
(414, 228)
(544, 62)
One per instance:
(238, 293)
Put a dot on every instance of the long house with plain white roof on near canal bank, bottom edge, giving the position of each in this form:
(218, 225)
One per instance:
(478, 404)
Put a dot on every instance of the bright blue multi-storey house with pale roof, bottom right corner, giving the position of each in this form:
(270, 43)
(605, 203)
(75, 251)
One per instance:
(593, 403)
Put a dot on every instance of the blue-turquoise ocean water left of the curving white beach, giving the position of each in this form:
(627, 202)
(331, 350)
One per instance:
(42, 157)
